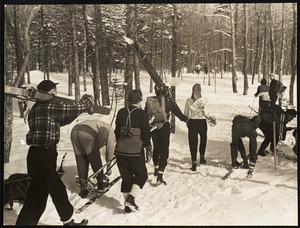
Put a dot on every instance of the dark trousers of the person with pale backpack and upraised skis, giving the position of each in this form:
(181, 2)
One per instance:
(161, 142)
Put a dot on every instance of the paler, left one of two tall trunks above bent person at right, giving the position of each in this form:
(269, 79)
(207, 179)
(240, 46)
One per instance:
(234, 76)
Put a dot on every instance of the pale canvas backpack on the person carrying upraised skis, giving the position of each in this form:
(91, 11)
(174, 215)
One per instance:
(156, 108)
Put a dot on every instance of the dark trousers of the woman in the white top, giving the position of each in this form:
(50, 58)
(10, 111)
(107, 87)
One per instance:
(197, 127)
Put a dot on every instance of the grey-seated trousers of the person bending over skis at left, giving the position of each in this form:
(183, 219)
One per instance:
(86, 149)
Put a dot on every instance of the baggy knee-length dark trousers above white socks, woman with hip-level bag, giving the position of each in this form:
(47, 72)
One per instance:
(132, 170)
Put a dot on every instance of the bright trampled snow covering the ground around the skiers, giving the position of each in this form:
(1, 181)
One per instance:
(201, 198)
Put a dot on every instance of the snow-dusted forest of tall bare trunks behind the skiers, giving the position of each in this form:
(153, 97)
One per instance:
(87, 41)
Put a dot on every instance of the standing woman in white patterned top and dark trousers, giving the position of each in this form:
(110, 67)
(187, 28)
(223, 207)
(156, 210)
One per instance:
(197, 124)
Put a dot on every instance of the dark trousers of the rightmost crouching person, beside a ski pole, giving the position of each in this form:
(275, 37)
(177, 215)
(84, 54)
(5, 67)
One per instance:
(267, 130)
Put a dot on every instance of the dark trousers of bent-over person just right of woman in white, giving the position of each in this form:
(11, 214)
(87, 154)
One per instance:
(237, 144)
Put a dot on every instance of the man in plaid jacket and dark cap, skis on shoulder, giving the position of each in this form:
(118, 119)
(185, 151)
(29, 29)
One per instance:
(45, 120)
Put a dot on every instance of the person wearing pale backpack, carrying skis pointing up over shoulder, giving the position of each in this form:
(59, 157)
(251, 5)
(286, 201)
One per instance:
(161, 135)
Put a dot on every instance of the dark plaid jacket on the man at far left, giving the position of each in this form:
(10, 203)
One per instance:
(45, 119)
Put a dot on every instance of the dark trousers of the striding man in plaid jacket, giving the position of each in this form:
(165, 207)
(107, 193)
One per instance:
(41, 167)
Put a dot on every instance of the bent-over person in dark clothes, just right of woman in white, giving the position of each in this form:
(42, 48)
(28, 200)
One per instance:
(244, 127)
